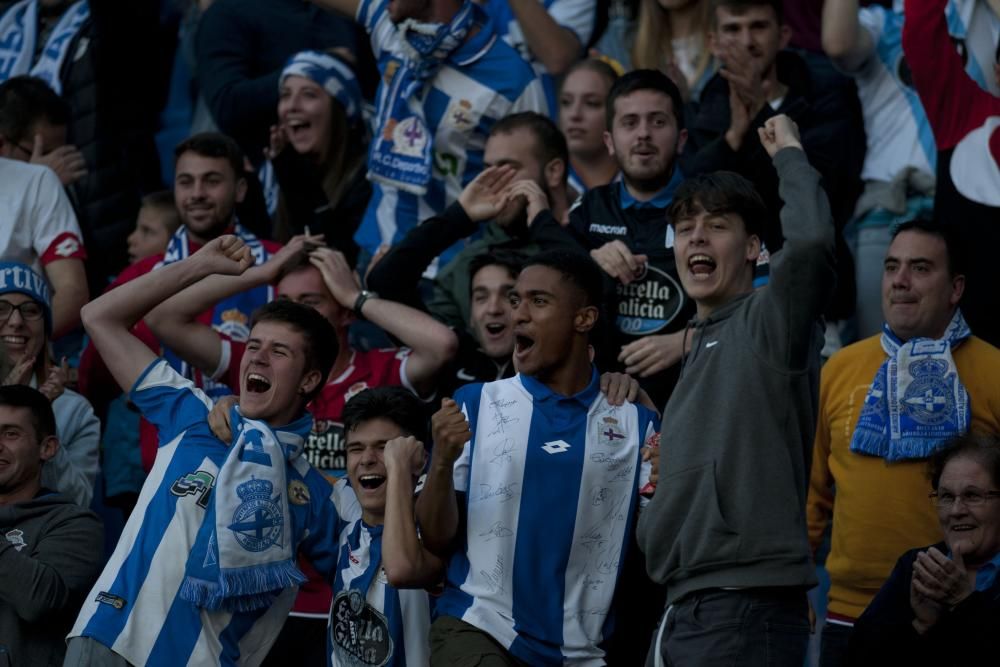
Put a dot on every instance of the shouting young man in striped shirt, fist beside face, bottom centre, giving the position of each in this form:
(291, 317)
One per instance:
(371, 619)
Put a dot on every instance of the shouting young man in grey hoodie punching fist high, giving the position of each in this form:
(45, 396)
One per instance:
(726, 532)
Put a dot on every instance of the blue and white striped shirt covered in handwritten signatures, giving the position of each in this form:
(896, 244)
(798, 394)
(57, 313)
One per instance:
(551, 485)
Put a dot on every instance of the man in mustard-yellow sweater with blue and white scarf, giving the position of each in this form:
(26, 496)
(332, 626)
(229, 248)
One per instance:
(887, 404)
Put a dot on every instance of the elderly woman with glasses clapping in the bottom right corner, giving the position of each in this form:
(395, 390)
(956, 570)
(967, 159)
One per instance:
(941, 604)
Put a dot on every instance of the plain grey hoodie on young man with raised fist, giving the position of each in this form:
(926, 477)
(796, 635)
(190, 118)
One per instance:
(736, 446)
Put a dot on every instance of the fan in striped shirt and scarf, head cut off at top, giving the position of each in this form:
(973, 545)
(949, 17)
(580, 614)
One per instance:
(446, 79)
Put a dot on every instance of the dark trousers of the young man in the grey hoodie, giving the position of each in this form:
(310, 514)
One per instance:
(738, 628)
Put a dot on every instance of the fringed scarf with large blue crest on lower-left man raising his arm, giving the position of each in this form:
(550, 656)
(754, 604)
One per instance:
(244, 554)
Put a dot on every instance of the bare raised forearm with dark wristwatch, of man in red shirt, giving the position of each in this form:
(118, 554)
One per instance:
(432, 344)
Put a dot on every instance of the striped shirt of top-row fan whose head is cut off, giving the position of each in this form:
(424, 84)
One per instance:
(480, 83)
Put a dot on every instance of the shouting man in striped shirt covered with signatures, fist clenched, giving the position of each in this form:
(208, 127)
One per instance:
(533, 487)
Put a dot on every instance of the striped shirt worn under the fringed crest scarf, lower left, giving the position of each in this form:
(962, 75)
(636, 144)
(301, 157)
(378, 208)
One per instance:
(134, 608)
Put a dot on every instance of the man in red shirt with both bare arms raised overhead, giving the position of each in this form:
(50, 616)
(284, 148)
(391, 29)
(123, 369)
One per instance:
(308, 273)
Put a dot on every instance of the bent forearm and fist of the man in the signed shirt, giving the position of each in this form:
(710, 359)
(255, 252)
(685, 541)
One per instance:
(437, 506)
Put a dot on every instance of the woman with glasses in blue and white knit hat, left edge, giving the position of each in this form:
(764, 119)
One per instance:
(25, 329)
